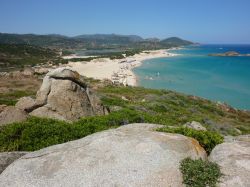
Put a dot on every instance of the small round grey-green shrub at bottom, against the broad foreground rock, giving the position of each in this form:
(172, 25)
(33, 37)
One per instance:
(199, 173)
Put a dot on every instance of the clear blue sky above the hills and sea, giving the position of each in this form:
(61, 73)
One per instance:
(203, 21)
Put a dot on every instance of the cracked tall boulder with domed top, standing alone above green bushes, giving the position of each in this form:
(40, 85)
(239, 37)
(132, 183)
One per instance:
(64, 95)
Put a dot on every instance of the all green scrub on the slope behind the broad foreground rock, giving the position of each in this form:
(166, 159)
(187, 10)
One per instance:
(129, 105)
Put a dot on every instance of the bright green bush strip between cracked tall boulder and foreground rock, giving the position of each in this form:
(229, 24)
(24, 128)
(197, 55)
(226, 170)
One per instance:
(37, 133)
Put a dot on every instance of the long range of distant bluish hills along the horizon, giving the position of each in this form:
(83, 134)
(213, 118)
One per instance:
(96, 41)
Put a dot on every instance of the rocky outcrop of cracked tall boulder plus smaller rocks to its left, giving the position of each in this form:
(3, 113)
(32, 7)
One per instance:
(64, 95)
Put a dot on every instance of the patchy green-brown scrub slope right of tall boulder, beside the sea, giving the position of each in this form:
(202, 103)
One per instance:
(170, 108)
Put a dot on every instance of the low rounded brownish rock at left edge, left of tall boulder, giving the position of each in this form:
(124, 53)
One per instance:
(11, 114)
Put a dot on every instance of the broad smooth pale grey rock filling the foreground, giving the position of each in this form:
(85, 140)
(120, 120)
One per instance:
(132, 155)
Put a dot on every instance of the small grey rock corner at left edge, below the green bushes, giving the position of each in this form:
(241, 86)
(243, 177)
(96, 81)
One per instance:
(6, 158)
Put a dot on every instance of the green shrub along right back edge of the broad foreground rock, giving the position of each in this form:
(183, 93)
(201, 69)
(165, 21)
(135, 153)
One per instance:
(207, 139)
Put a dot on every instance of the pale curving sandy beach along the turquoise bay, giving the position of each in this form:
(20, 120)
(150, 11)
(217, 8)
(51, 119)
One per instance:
(117, 70)
